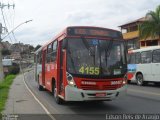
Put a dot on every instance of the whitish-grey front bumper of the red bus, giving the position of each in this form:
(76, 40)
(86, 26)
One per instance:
(75, 94)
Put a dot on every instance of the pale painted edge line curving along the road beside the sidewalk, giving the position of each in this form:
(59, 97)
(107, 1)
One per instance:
(41, 104)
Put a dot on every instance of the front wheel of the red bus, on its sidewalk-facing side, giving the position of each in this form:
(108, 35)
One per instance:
(56, 97)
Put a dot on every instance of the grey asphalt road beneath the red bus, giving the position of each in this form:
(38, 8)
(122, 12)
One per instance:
(139, 100)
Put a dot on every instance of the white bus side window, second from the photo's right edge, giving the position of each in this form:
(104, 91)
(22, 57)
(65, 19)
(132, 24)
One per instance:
(146, 57)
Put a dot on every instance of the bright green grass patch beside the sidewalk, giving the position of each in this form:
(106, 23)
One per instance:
(4, 90)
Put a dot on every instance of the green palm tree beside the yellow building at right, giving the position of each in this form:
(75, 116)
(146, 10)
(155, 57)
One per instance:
(151, 26)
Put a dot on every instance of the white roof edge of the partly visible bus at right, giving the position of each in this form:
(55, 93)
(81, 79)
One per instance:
(145, 49)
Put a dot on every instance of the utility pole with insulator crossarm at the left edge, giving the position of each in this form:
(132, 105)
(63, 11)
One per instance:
(1, 65)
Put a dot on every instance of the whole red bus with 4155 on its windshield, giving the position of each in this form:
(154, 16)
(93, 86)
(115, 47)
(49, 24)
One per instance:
(83, 63)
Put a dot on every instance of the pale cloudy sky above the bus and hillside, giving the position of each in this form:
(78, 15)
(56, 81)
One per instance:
(49, 17)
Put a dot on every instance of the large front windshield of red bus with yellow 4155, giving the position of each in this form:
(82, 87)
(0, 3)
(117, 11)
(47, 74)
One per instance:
(95, 57)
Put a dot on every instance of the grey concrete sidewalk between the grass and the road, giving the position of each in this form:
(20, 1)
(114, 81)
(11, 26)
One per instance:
(20, 100)
